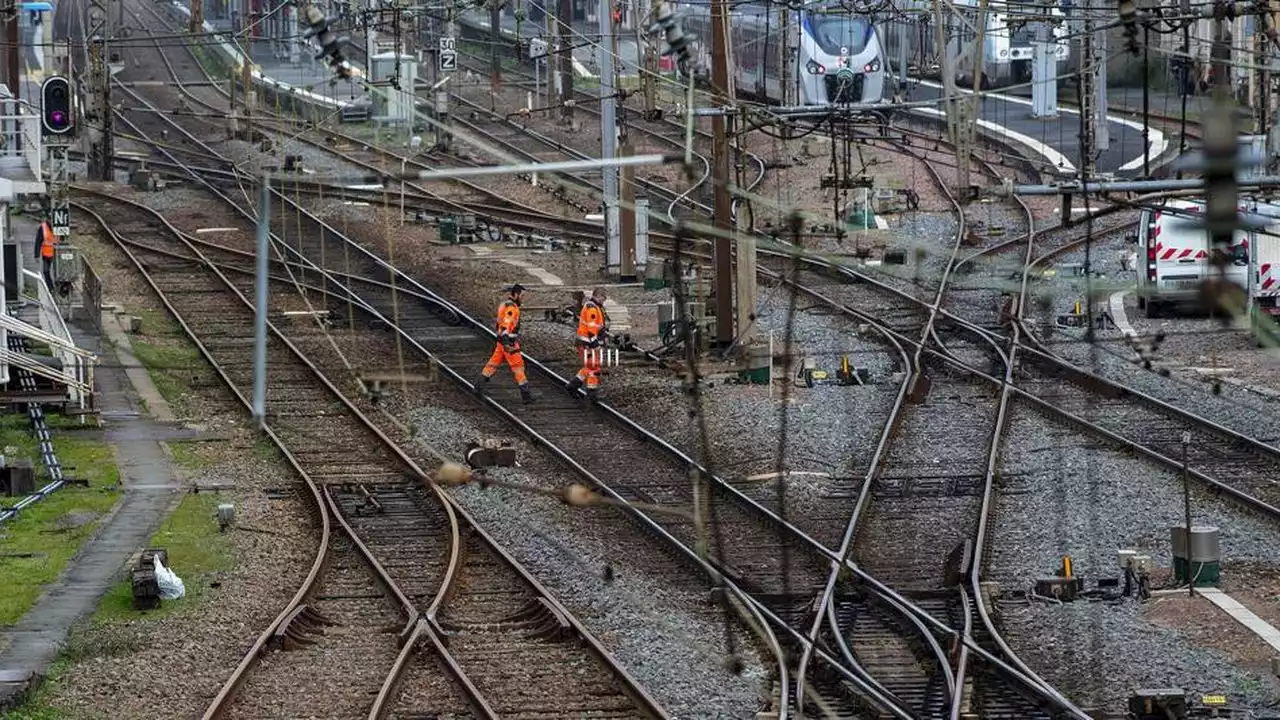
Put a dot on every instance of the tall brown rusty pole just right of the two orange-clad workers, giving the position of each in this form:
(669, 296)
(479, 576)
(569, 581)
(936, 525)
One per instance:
(723, 83)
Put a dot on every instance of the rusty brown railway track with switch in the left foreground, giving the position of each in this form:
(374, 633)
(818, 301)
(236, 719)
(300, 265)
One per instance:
(499, 618)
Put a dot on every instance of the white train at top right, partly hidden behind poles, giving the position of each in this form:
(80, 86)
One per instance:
(907, 31)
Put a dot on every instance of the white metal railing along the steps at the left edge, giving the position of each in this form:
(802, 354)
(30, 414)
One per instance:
(77, 364)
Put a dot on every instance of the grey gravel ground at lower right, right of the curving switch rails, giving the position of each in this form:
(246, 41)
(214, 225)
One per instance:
(1062, 494)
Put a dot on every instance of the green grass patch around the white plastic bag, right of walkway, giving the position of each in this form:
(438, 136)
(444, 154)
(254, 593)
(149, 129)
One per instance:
(198, 553)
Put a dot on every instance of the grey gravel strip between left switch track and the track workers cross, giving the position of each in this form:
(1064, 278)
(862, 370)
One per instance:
(657, 623)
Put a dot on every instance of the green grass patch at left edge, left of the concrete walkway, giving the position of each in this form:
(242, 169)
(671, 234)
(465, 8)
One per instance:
(38, 545)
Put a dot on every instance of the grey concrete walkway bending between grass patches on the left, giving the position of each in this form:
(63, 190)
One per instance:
(150, 493)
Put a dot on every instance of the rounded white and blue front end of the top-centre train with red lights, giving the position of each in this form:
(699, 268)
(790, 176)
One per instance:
(840, 58)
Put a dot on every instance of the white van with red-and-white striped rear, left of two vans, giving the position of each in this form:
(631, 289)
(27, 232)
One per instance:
(1176, 257)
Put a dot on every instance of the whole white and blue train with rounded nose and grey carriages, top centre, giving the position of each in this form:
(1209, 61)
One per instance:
(839, 57)
